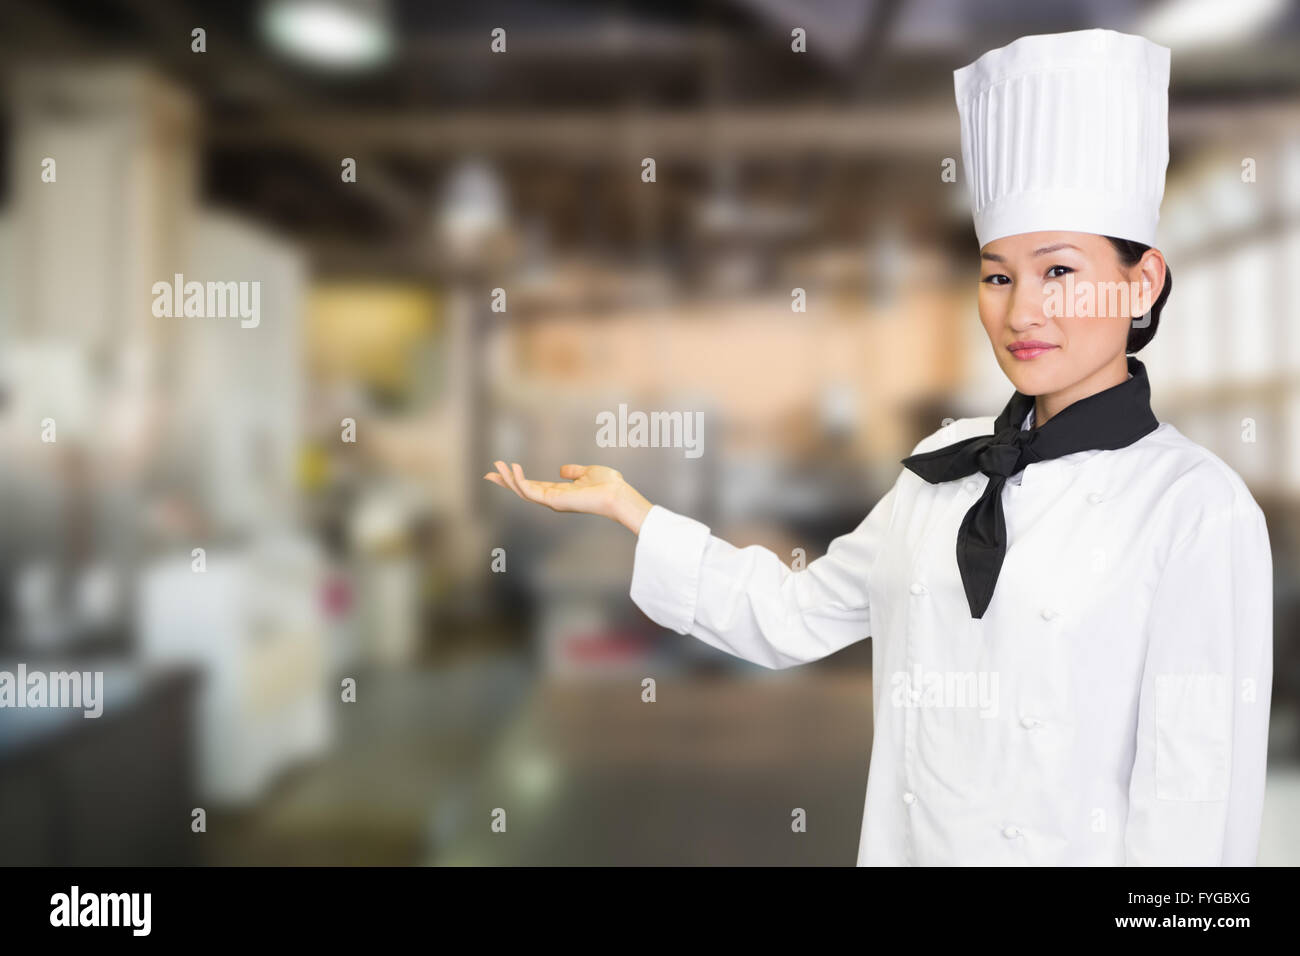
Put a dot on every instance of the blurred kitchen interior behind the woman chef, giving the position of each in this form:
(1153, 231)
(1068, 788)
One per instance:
(223, 157)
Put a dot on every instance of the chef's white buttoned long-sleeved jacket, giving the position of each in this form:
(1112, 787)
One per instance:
(1111, 708)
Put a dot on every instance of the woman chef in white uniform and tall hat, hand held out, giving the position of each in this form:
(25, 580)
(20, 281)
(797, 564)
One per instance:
(1071, 604)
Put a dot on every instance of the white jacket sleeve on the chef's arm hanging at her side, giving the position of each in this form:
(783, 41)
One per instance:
(1197, 791)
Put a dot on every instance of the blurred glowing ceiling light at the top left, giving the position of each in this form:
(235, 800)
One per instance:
(330, 33)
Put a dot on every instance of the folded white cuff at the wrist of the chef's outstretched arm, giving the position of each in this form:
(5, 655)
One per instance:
(666, 568)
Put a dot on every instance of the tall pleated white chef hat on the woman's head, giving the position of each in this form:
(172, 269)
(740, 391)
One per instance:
(1067, 132)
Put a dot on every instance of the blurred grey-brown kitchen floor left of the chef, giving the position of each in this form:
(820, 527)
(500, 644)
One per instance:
(587, 775)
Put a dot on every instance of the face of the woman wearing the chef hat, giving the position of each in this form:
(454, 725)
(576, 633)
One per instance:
(1069, 293)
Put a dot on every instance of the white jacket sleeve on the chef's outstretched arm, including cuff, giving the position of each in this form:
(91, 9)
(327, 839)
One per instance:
(747, 602)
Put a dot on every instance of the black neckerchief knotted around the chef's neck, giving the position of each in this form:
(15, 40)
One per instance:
(1108, 419)
